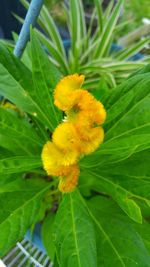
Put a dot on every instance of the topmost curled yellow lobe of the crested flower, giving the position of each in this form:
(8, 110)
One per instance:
(63, 93)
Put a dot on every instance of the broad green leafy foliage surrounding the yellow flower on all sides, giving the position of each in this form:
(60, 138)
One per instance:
(105, 222)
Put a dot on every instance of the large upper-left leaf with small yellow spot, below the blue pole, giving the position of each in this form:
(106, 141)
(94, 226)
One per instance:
(17, 86)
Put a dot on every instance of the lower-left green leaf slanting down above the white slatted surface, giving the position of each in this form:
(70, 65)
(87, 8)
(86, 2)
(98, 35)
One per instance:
(18, 211)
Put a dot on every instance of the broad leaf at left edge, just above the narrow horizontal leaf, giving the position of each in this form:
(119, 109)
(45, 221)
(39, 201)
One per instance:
(17, 135)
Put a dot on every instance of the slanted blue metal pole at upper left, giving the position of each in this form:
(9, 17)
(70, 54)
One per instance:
(30, 19)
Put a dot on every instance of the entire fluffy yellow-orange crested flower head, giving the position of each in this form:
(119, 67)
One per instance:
(80, 134)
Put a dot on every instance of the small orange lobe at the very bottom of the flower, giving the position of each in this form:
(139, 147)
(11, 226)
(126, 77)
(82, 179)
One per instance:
(68, 183)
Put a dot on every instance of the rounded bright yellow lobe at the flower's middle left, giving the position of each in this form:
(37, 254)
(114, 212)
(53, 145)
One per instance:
(66, 138)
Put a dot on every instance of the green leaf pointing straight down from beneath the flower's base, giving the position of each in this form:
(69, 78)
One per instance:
(74, 236)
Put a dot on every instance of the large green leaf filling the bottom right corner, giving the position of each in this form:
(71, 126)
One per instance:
(118, 242)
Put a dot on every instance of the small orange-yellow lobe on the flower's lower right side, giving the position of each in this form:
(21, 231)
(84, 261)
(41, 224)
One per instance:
(96, 137)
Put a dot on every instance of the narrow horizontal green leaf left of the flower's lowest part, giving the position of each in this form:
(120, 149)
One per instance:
(16, 164)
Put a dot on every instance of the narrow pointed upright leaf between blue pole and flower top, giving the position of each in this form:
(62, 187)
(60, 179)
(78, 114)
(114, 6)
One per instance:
(45, 78)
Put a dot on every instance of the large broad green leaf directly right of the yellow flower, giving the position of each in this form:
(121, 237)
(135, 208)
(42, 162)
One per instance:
(128, 122)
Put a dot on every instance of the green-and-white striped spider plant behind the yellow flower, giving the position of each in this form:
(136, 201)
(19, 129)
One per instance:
(90, 51)
